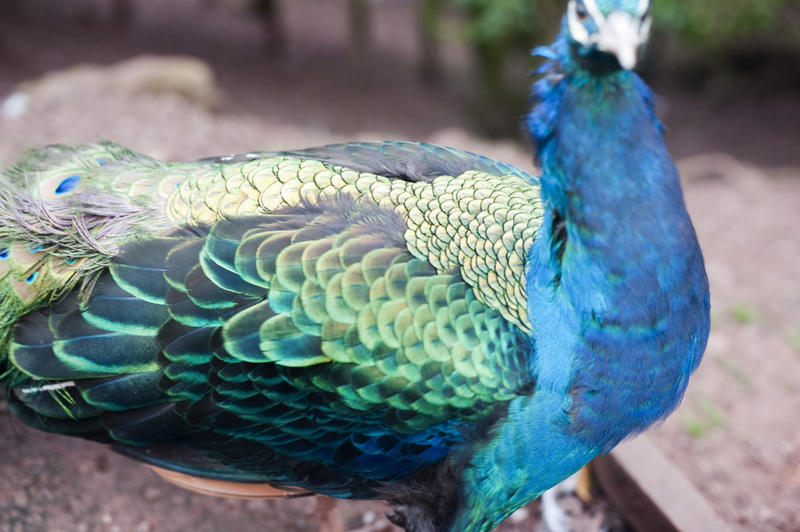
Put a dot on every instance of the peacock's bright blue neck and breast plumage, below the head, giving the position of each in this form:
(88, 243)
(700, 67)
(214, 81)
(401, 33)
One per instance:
(617, 290)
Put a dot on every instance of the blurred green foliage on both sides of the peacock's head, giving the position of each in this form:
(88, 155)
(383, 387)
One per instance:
(498, 31)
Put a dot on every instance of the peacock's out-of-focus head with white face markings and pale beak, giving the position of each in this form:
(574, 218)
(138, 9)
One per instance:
(606, 35)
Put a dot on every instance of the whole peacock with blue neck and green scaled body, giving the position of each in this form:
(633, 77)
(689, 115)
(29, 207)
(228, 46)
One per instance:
(393, 320)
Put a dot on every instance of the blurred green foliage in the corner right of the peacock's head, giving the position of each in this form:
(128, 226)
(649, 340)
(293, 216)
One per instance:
(718, 23)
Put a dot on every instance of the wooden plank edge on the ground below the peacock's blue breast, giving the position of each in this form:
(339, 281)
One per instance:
(652, 493)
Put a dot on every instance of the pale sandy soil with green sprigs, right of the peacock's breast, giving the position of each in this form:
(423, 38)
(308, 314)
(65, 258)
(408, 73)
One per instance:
(737, 434)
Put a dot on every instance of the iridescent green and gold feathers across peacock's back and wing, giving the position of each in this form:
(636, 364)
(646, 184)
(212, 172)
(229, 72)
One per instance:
(249, 324)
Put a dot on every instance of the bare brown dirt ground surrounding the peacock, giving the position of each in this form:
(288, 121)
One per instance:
(737, 434)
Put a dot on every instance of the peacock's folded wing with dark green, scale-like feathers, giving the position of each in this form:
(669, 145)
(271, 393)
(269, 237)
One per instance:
(307, 347)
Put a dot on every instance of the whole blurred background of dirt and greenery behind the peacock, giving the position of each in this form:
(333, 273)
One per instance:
(182, 79)
